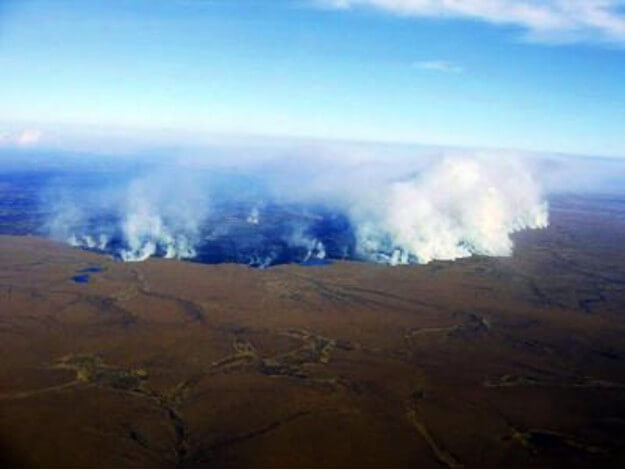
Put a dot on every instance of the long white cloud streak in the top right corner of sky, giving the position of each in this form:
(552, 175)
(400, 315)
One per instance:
(543, 20)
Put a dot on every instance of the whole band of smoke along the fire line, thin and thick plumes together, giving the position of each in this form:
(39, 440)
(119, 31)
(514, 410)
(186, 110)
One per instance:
(397, 210)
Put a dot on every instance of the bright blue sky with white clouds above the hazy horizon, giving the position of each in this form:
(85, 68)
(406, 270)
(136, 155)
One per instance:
(535, 75)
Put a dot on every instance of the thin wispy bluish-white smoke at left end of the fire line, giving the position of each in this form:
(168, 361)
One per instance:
(158, 214)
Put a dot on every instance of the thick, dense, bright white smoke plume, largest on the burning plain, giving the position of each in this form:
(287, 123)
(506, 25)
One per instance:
(458, 207)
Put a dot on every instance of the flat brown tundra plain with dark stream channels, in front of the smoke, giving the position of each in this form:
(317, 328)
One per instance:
(485, 361)
